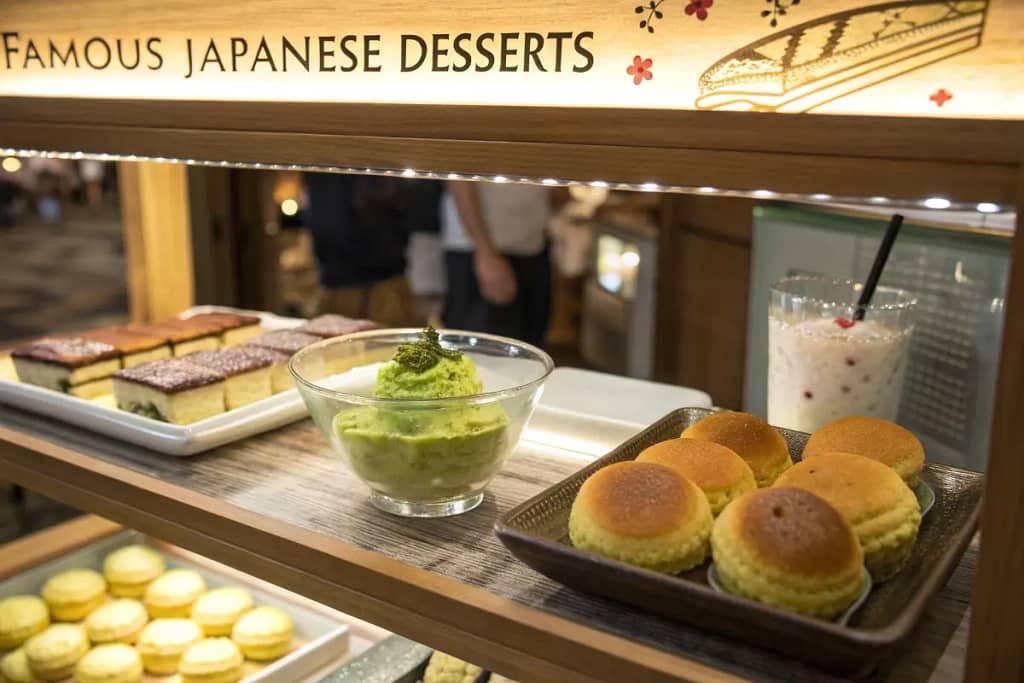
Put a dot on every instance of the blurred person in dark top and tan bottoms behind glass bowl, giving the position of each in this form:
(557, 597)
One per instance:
(361, 227)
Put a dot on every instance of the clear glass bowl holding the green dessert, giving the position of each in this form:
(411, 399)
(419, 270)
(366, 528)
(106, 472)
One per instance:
(421, 458)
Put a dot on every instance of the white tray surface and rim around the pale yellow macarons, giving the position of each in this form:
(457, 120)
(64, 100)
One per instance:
(321, 636)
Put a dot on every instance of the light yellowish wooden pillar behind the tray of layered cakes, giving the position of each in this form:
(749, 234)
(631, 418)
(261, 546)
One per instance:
(158, 239)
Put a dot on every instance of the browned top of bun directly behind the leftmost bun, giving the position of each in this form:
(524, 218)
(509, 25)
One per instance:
(709, 465)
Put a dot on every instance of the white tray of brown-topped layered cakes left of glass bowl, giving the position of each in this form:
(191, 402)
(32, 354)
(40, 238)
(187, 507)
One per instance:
(212, 376)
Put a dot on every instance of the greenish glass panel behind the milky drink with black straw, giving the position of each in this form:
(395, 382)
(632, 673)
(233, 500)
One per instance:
(960, 279)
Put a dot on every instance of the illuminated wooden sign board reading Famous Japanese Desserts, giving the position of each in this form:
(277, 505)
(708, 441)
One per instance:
(922, 58)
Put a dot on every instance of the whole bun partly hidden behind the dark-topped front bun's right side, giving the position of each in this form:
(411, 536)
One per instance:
(883, 510)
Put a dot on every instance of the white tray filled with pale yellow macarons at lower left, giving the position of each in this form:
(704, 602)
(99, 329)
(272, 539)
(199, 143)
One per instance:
(131, 608)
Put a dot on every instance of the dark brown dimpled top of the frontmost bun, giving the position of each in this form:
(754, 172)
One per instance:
(795, 531)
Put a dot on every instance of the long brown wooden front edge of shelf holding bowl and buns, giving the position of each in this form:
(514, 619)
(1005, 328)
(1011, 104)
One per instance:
(530, 646)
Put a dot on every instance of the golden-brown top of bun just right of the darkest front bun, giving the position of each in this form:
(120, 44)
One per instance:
(856, 486)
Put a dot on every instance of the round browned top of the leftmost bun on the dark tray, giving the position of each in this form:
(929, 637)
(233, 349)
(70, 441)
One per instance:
(638, 499)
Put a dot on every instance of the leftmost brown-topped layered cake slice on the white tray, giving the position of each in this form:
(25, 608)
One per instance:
(64, 364)
